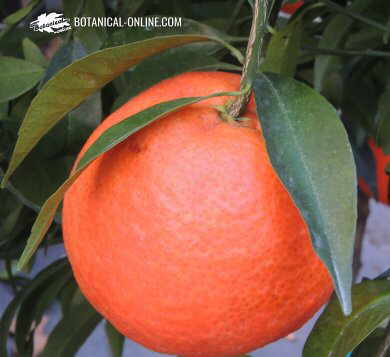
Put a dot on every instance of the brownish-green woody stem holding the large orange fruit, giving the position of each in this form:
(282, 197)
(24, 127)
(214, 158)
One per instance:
(254, 54)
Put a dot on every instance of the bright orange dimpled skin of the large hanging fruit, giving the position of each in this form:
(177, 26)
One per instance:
(184, 237)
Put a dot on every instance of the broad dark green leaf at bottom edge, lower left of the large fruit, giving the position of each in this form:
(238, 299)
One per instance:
(72, 331)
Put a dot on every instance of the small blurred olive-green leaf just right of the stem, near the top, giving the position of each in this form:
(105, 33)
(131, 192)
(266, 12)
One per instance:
(283, 50)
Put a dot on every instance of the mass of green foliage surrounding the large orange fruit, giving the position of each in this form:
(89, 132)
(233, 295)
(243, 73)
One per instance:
(56, 88)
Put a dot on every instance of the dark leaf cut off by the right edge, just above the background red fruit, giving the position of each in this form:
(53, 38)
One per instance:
(383, 121)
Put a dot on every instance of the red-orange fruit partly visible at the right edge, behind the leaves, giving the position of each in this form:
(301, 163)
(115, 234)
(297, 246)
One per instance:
(382, 179)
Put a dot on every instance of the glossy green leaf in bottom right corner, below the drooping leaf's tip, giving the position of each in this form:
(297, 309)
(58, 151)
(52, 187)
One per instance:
(335, 335)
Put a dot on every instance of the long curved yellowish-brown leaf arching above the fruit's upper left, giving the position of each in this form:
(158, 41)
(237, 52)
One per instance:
(72, 85)
